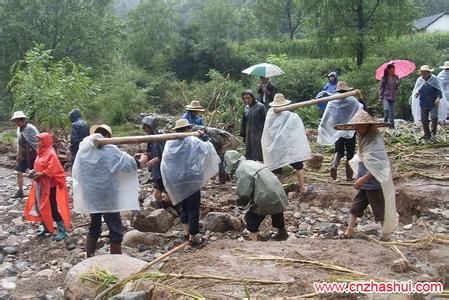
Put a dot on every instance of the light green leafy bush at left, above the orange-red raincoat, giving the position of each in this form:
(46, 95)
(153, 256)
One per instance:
(47, 89)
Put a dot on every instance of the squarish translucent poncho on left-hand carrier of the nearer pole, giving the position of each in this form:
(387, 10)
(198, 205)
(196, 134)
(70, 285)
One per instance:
(104, 179)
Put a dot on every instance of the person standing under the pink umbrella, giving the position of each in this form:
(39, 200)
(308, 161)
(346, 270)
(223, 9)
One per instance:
(389, 86)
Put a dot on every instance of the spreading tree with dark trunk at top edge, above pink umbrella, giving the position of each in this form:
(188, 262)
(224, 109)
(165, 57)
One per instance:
(356, 22)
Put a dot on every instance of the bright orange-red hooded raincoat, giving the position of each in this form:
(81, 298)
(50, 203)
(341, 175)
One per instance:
(48, 163)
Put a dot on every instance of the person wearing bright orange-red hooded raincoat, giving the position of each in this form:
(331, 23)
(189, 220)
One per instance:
(48, 201)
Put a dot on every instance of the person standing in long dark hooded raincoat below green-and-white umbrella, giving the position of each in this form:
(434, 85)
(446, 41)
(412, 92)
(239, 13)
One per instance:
(251, 129)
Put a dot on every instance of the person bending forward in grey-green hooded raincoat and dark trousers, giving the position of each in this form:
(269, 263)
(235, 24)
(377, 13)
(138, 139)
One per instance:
(262, 191)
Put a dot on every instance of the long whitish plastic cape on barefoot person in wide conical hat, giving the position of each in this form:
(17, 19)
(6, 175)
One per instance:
(373, 154)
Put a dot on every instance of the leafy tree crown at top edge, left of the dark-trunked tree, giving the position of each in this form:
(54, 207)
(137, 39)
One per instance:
(279, 16)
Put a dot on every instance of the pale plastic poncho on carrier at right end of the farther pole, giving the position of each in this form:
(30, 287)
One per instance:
(337, 112)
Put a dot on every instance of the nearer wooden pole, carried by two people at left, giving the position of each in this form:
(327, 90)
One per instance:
(143, 138)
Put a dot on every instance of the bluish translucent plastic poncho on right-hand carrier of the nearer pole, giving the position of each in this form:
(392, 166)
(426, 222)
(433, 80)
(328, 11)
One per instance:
(186, 166)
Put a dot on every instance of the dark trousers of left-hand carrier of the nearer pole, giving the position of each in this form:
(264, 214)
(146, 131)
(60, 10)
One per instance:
(114, 223)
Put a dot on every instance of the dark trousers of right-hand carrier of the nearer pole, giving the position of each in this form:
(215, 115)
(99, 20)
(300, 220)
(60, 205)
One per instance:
(189, 212)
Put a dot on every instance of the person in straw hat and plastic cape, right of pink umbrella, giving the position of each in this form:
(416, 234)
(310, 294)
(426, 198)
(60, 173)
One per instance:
(426, 102)
